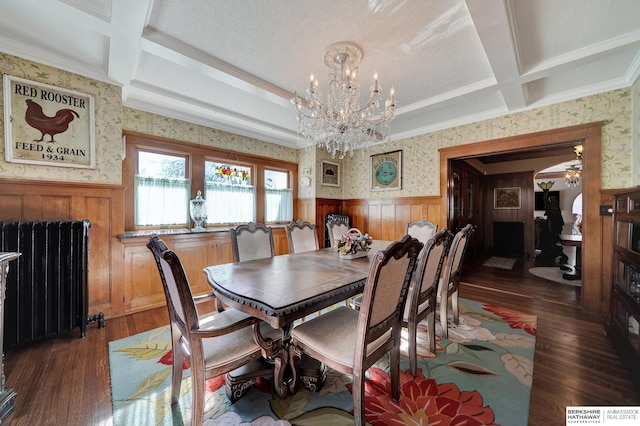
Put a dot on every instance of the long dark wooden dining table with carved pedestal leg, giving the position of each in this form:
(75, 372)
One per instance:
(282, 289)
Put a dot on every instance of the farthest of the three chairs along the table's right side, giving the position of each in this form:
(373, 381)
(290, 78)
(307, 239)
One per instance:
(450, 282)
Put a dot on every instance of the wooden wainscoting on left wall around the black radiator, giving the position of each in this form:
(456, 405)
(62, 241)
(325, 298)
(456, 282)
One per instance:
(102, 205)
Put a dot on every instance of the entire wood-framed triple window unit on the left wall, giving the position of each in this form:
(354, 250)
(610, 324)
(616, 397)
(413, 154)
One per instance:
(161, 176)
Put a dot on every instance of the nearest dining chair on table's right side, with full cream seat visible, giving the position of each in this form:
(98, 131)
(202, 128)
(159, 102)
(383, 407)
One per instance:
(351, 341)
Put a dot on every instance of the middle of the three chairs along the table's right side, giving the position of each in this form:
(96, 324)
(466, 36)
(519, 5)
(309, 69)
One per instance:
(421, 300)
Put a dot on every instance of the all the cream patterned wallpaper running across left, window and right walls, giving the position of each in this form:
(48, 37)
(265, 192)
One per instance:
(620, 156)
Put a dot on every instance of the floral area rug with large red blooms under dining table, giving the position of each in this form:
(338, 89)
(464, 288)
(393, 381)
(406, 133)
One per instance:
(480, 375)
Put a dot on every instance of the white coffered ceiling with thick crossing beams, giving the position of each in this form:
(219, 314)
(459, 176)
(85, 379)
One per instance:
(234, 65)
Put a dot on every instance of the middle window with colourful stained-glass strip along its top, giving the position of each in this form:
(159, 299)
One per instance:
(230, 196)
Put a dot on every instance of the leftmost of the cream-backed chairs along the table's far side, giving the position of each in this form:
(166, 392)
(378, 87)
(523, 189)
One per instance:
(251, 241)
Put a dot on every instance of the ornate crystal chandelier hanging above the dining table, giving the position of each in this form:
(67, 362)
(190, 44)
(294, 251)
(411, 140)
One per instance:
(343, 124)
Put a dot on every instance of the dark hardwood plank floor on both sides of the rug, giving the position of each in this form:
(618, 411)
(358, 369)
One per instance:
(65, 381)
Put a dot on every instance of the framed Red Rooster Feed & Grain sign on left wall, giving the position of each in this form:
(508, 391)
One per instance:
(48, 125)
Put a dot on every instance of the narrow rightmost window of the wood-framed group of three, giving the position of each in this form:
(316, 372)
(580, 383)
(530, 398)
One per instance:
(278, 197)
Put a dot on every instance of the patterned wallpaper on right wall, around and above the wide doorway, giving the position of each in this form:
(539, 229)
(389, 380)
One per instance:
(420, 156)
